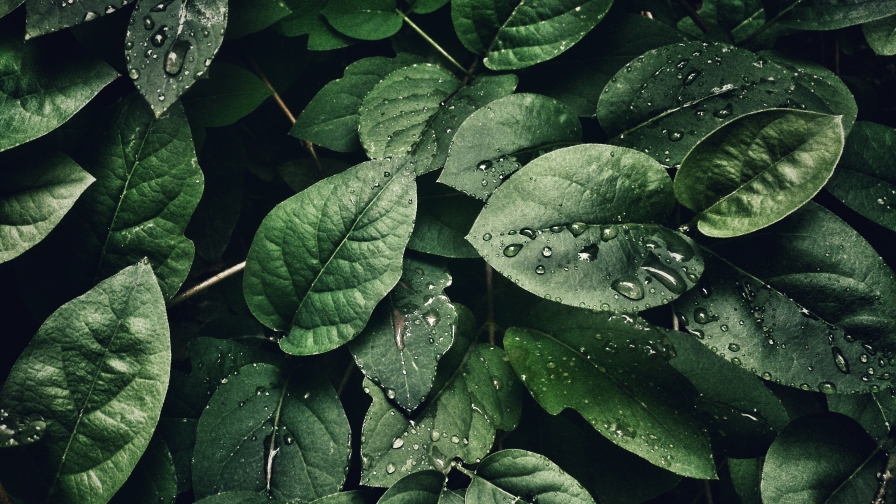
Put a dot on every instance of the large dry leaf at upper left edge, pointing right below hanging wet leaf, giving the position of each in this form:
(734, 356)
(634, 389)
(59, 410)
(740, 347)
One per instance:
(44, 83)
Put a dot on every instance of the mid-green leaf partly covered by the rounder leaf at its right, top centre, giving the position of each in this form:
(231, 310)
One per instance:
(331, 119)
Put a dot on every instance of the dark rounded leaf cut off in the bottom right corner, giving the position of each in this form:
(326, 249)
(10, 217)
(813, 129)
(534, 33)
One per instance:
(821, 458)
